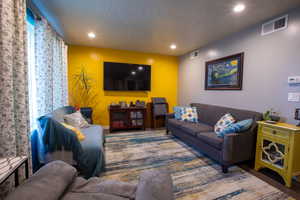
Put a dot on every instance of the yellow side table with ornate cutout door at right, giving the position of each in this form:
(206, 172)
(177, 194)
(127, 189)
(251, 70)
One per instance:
(278, 148)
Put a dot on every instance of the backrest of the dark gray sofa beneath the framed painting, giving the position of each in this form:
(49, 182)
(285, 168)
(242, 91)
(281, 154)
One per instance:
(210, 114)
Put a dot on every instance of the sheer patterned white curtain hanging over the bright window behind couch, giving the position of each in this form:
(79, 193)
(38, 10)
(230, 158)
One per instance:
(50, 69)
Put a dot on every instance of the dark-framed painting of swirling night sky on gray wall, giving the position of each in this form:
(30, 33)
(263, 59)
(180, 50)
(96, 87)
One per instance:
(225, 73)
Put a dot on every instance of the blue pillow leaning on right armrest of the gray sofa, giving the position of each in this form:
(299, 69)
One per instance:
(238, 127)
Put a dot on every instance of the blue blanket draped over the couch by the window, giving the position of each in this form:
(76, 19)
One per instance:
(53, 136)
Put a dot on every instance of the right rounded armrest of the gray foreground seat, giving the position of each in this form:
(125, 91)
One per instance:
(155, 185)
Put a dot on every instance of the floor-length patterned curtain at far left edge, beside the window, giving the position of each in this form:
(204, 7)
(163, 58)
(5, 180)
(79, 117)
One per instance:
(14, 117)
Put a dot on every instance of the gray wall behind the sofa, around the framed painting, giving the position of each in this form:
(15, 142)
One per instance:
(269, 60)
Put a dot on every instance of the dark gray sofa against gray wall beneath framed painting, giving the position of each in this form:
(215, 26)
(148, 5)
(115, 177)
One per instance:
(232, 149)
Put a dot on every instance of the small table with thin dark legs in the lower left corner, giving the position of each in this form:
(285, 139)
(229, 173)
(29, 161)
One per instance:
(11, 165)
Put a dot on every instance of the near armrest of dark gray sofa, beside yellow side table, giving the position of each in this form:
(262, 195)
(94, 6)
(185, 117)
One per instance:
(238, 147)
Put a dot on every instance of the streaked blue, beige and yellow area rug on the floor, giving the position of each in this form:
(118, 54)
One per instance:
(194, 175)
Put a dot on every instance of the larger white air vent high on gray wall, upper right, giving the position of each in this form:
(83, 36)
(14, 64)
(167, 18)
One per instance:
(275, 25)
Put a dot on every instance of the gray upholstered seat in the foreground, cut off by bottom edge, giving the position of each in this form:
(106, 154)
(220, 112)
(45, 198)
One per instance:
(58, 180)
